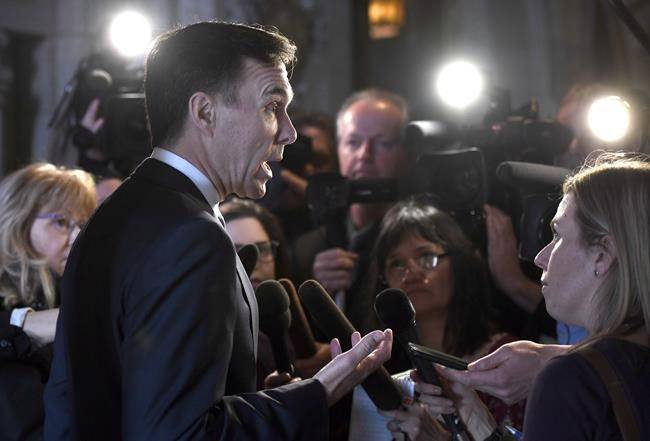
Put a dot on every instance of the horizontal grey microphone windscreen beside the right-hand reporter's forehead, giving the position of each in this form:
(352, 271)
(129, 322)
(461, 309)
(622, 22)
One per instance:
(523, 173)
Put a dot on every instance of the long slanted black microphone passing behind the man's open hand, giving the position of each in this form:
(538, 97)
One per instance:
(330, 320)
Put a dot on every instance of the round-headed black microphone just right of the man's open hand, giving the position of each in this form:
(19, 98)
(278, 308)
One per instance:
(396, 311)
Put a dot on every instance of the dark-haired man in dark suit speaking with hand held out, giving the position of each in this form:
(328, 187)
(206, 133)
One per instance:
(157, 335)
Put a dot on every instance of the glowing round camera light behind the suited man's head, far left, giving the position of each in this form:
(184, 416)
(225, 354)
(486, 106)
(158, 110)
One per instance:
(130, 33)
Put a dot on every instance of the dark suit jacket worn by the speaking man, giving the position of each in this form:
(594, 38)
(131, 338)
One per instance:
(158, 328)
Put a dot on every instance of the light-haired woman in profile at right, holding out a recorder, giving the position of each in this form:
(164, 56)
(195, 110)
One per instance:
(596, 274)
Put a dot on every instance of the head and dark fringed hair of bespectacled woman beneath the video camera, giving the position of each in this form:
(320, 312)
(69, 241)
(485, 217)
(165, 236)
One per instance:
(423, 251)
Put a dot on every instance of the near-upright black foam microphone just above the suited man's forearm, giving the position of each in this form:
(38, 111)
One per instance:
(275, 318)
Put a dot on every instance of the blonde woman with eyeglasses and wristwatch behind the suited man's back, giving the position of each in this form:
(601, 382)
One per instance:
(42, 209)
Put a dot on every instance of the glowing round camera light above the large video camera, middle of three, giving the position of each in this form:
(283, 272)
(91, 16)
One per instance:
(459, 84)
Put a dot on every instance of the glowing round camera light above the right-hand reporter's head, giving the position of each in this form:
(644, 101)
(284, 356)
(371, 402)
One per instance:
(609, 118)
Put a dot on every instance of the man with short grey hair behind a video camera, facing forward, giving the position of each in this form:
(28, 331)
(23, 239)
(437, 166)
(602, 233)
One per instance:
(370, 132)
